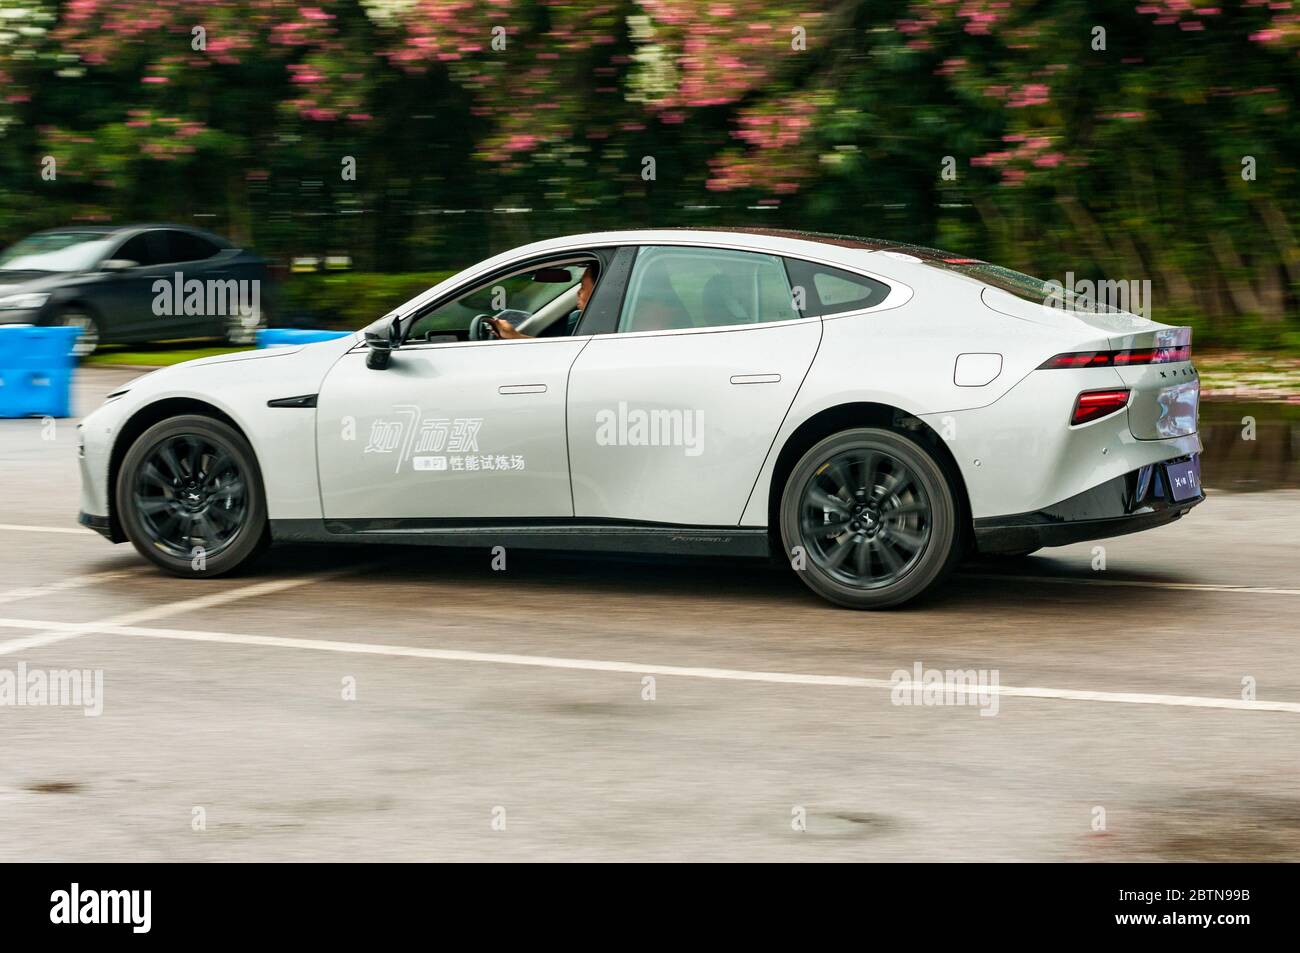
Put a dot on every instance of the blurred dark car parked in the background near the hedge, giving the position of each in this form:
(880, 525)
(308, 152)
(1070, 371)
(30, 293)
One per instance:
(135, 284)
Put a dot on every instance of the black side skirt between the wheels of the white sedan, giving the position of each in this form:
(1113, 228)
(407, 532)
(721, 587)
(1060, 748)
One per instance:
(610, 536)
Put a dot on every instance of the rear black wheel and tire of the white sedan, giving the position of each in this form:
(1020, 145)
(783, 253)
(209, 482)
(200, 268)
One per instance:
(876, 517)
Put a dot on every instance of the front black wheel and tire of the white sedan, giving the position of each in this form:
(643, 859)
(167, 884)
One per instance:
(190, 497)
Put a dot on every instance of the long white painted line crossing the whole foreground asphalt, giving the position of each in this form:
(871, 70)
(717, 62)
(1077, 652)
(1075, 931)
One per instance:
(682, 672)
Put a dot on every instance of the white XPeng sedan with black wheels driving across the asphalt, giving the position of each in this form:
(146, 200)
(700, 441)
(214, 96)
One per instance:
(868, 411)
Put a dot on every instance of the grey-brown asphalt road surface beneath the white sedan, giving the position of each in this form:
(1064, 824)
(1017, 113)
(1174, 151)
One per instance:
(408, 704)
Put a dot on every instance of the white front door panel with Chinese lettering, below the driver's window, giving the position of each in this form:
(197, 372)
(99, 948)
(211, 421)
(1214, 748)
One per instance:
(461, 430)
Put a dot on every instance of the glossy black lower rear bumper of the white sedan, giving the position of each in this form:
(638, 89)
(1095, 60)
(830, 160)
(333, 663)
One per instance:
(1129, 504)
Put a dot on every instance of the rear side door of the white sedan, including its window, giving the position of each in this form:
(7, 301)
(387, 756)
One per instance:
(671, 414)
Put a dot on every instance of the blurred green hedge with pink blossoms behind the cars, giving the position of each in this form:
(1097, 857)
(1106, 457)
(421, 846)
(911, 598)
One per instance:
(1103, 138)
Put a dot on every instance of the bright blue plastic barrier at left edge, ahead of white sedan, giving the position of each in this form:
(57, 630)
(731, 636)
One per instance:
(37, 371)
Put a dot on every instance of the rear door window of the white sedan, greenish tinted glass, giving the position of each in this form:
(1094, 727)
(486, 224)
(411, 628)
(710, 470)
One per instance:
(682, 288)
